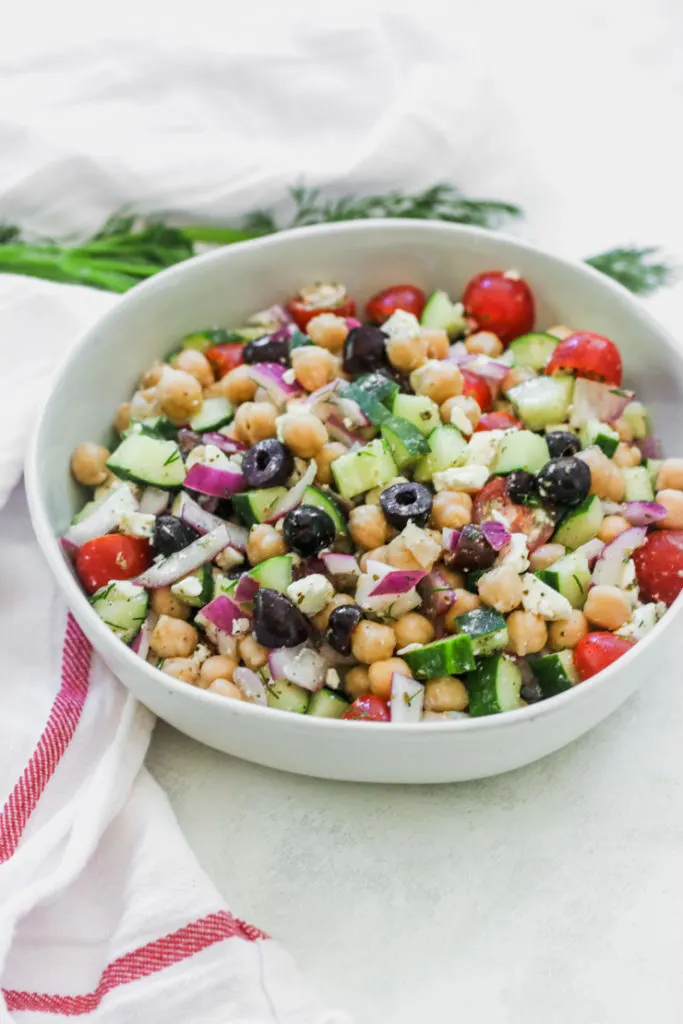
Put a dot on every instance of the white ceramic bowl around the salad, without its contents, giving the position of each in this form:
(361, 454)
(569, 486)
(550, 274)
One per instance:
(224, 288)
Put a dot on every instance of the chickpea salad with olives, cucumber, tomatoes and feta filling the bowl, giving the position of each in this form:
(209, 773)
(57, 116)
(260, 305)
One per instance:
(436, 514)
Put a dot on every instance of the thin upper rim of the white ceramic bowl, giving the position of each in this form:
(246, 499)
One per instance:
(76, 599)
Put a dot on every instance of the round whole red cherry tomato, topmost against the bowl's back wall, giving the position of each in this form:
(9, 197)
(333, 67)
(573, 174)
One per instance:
(501, 303)
